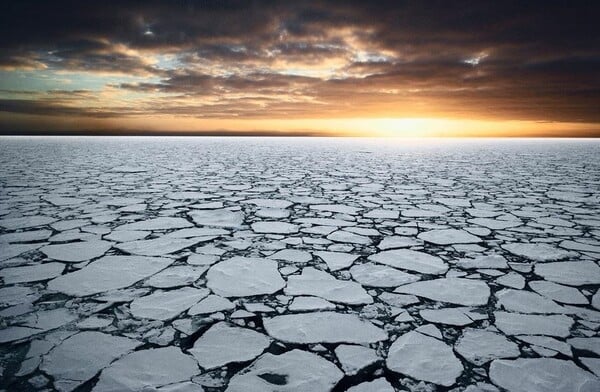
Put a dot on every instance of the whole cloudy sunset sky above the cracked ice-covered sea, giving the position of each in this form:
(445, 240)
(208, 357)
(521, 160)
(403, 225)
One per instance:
(332, 68)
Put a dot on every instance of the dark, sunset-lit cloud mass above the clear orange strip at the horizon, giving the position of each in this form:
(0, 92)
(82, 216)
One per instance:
(521, 59)
